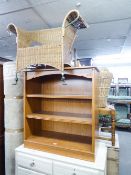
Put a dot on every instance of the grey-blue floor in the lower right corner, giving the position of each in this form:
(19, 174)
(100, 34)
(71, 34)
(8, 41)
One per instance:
(125, 152)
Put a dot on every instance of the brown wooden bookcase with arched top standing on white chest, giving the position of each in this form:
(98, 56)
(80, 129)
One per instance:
(61, 117)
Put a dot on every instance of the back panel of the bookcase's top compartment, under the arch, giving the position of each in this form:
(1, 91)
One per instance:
(73, 85)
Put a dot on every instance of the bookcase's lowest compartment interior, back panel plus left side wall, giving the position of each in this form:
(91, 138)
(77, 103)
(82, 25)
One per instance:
(37, 127)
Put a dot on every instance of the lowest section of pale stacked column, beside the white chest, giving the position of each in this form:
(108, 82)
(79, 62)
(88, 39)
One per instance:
(12, 140)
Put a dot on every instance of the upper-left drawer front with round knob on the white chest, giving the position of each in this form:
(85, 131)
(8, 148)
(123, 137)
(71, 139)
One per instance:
(34, 163)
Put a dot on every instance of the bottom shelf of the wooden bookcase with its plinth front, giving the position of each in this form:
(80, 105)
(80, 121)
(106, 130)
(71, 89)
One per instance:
(58, 142)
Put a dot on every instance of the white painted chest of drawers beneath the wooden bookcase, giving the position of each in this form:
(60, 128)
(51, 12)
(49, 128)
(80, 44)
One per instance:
(33, 162)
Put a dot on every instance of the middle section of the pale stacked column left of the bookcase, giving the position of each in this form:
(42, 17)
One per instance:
(13, 113)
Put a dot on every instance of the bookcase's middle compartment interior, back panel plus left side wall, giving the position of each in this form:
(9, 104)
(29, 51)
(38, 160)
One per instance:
(37, 105)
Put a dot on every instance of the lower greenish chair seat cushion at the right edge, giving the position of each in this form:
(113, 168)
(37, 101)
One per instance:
(124, 123)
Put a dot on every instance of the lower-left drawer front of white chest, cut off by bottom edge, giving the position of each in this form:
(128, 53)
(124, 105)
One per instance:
(23, 171)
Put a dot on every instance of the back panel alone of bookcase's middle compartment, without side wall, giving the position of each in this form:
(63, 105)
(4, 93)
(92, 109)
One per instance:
(67, 106)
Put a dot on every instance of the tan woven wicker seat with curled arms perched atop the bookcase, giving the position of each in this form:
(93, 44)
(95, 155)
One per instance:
(49, 46)
